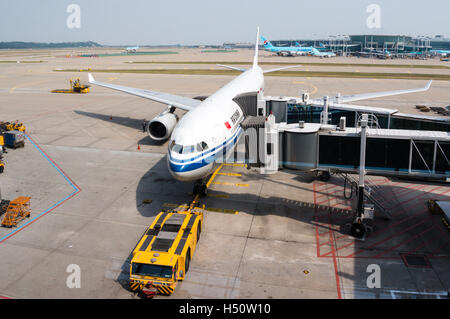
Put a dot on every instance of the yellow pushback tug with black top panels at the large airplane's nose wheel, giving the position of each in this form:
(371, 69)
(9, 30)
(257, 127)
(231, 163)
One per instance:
(163, 254)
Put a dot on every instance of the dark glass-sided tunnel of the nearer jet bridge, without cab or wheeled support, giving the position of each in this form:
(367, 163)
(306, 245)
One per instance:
(309, 146)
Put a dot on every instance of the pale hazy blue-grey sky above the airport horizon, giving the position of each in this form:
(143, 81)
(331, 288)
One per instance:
(214, 22)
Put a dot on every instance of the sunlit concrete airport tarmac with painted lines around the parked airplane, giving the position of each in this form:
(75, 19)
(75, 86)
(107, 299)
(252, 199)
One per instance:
(88, 167)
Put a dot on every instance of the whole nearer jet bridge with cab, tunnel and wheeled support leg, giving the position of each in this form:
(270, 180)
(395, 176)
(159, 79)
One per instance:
(327, 148)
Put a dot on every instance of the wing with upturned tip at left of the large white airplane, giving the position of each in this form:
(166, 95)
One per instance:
(177, 101)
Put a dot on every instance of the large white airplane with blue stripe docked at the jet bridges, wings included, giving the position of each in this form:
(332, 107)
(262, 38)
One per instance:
(210, 128)
